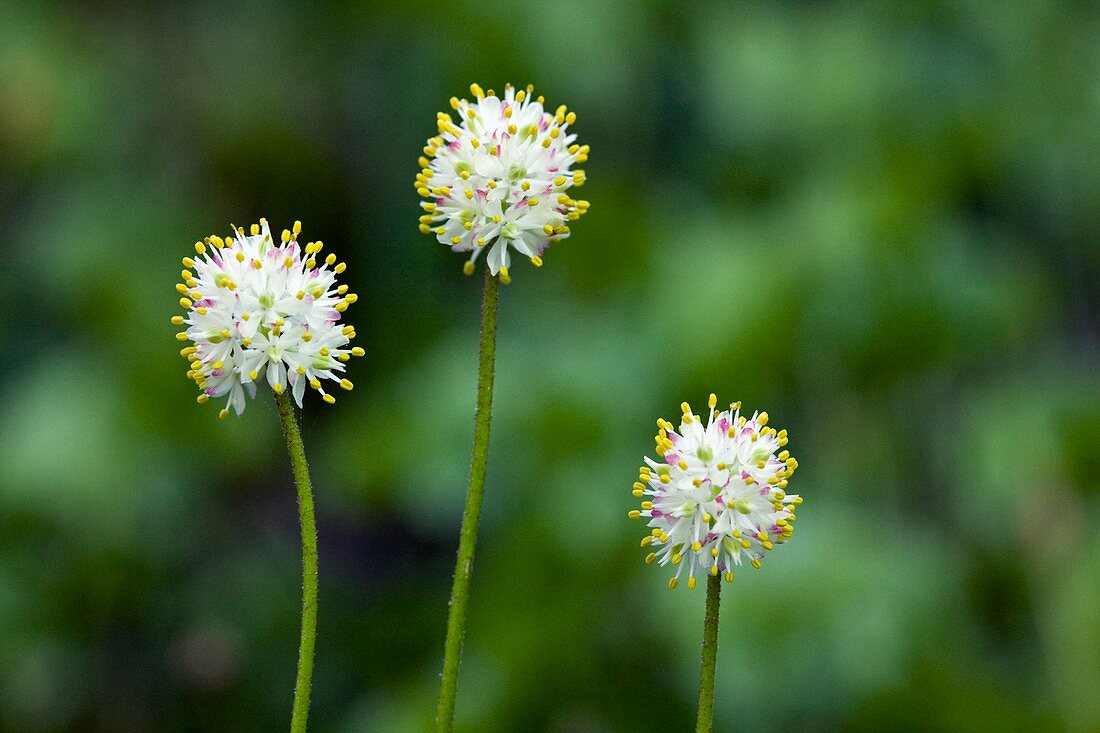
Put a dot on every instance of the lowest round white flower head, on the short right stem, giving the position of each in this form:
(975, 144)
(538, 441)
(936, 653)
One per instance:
(718, 497)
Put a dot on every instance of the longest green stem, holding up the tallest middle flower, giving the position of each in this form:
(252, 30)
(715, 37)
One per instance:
(468, 538)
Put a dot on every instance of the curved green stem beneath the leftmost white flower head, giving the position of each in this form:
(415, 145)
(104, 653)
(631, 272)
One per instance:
(304, 686)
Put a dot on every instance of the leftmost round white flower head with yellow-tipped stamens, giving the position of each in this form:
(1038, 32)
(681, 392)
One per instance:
(263, 311)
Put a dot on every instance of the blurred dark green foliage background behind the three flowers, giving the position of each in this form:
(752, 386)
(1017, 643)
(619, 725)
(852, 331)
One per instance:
(878, 222)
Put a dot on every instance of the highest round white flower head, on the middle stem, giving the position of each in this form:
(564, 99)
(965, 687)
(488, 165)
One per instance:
(498, 178)
